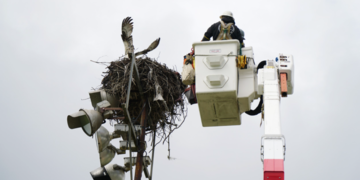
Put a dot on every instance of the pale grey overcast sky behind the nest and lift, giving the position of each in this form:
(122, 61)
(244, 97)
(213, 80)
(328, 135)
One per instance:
(45, 71)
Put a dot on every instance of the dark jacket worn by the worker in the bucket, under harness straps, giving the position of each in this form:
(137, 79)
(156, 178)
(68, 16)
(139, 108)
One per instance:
(214, 31)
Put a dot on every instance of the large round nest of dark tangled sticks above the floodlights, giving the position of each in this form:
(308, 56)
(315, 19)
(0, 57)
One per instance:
(161, 85)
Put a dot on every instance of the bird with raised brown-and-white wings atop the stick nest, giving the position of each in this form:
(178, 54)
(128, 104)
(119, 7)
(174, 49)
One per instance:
(127, 28)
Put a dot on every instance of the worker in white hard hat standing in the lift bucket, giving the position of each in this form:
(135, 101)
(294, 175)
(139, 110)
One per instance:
(225, 29)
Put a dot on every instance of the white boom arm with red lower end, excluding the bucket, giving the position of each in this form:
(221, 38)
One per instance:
(273, 86)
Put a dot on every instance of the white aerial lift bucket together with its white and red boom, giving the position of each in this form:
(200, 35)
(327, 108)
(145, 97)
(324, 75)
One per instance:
(225, 88)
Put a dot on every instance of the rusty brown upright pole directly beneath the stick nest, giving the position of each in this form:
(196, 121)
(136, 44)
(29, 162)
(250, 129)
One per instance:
(141, 149)
